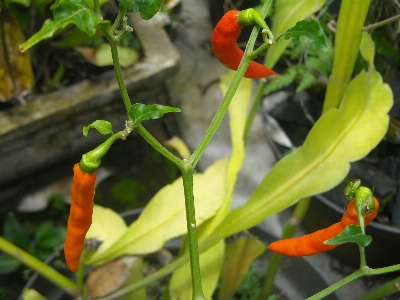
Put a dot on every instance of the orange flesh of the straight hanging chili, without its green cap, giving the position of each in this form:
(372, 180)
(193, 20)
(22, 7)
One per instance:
(80, 216)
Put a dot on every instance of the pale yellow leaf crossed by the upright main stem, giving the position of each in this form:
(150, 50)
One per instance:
(164, 217)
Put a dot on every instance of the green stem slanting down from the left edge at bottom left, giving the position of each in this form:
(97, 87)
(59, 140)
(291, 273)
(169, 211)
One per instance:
(39, 266)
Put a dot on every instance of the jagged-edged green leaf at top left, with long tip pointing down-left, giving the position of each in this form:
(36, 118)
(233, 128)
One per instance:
(68, 12)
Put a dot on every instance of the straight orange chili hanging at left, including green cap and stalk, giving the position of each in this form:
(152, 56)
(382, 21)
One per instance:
(82, 194)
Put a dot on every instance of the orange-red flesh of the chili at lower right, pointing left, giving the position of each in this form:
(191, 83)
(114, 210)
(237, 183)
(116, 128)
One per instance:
(313, 243)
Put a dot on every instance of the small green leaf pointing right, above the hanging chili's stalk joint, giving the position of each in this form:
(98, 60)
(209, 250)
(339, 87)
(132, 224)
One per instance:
(141, 112)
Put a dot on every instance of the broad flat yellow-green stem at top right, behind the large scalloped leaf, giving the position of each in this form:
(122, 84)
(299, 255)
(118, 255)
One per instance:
(347, 41)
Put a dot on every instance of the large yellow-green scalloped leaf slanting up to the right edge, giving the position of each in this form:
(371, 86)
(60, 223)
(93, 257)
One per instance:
(339, 137)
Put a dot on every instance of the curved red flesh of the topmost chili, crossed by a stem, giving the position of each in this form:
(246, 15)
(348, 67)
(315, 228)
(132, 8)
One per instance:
(225, 48)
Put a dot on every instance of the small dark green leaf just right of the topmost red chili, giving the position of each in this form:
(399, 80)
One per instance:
(310, 29)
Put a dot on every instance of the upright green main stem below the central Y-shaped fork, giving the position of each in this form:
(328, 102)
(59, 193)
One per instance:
(187, 177)
